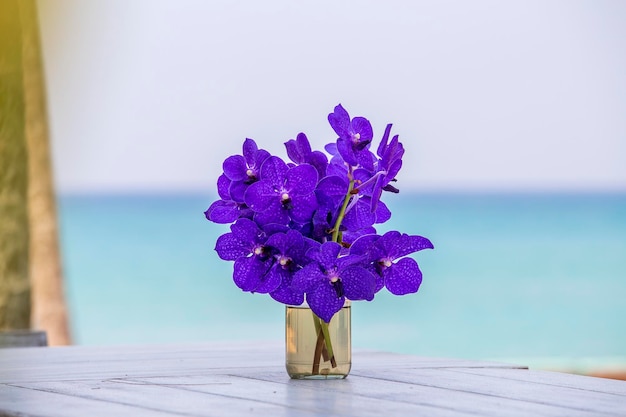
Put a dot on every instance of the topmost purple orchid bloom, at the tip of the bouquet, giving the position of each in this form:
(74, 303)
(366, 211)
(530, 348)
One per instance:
(355, 136)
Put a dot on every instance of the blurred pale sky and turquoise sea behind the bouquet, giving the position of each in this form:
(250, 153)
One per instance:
(511, 114)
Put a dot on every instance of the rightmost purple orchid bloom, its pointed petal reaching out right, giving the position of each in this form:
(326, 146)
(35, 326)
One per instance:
(401, 277)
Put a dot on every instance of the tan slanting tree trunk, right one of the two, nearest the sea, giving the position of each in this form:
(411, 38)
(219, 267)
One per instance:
(49, 310)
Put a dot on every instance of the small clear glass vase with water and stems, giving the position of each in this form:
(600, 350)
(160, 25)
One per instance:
(315, 349)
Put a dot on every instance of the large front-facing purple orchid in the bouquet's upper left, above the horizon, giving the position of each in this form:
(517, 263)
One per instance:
(283, 193)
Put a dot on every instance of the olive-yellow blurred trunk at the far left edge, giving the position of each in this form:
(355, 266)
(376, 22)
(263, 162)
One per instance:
(14, 279)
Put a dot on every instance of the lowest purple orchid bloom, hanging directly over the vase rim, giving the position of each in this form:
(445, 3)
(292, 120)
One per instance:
(328, 279)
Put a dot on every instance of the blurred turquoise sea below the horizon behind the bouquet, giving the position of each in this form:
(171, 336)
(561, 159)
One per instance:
(534, 278)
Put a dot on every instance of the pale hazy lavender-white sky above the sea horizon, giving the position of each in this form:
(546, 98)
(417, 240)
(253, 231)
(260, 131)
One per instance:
(152, 95)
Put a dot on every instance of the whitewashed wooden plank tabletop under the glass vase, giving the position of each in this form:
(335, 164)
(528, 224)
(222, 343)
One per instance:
(234, 379)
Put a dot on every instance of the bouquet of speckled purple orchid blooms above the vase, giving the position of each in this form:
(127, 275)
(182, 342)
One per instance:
(305, 229)
